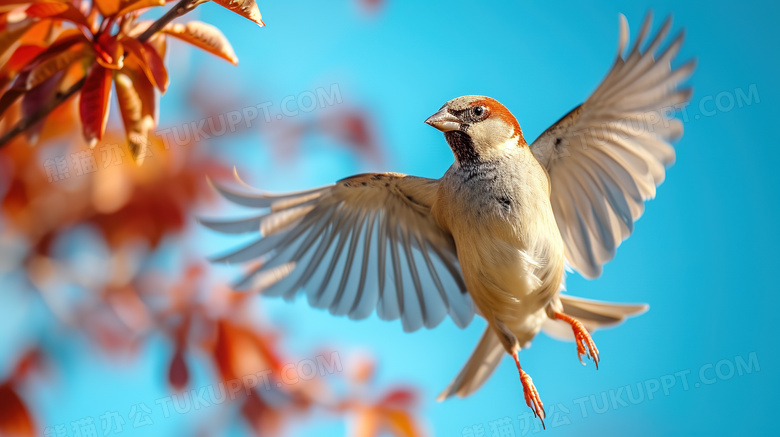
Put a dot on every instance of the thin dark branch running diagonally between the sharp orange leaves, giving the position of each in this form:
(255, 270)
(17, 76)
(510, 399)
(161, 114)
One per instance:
(178, 10)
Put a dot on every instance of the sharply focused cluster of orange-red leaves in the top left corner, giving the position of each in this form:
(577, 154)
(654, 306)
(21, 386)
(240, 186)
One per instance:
(63, 47)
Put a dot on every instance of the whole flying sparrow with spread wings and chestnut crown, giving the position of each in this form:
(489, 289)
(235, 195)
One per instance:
(496, 234)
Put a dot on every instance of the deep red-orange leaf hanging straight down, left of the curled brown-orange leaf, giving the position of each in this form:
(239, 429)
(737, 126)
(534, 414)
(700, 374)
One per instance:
(93, 103)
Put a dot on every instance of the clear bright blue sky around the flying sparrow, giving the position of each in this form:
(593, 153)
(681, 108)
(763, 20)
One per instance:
(703, 255)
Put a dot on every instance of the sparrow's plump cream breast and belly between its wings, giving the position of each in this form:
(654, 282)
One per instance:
(508, 244)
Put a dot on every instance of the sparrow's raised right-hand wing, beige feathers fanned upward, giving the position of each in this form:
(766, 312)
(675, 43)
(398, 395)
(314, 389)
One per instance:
(606, 157)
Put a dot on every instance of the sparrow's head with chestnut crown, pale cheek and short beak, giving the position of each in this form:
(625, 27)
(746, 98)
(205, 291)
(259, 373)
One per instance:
(477, 128)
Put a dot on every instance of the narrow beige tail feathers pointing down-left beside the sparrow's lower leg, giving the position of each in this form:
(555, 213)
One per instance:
(478, 368)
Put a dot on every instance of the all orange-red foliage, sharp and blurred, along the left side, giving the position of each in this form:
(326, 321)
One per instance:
(52, 192)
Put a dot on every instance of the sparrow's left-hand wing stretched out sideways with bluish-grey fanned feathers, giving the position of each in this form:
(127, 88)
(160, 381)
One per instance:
(368, 241)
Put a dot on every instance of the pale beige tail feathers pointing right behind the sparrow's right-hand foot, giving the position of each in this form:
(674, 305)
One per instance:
(592, 313)
